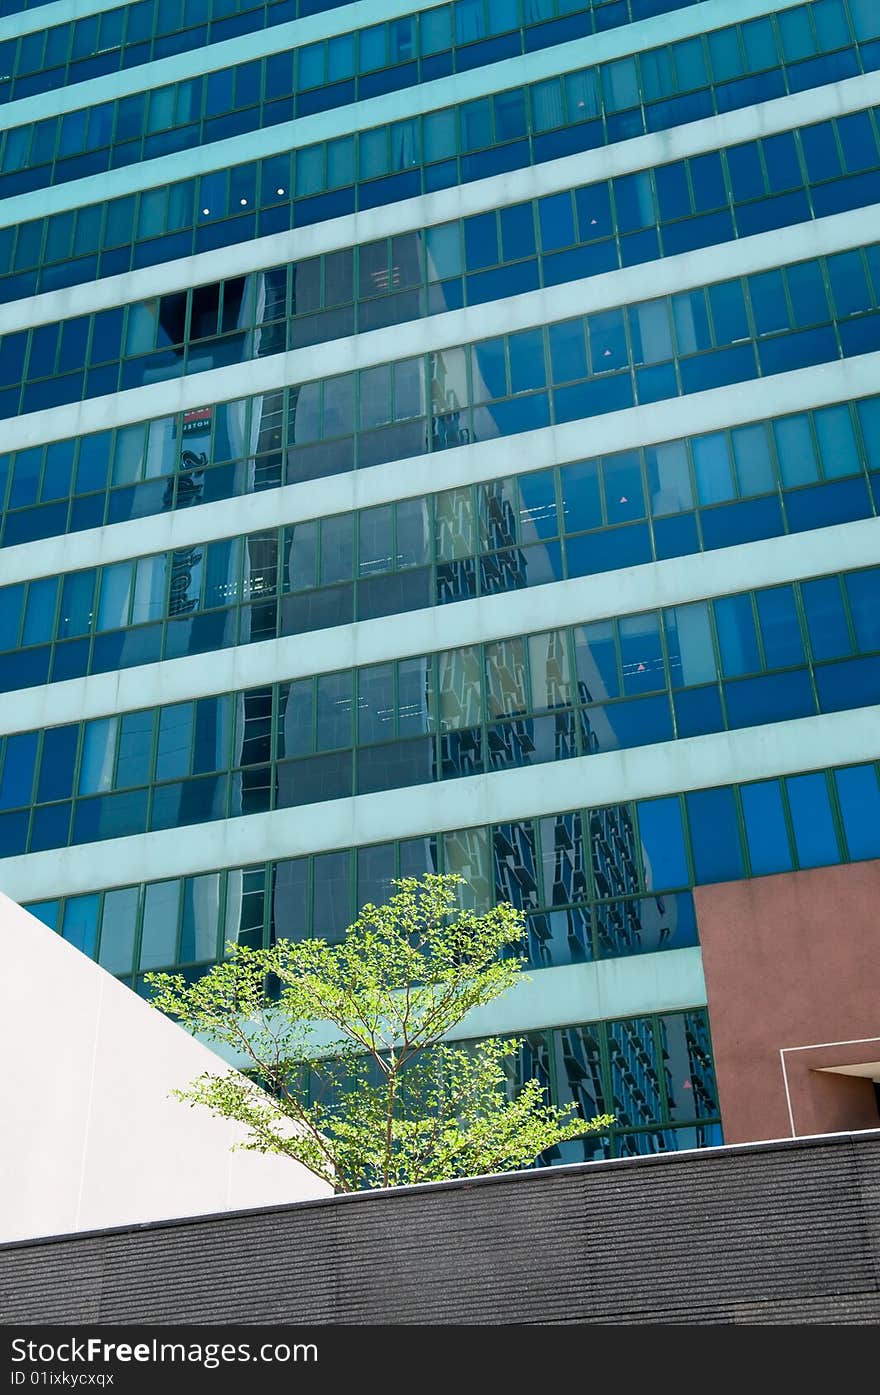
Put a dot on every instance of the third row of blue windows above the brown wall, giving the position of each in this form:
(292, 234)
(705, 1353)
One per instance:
(550, 525)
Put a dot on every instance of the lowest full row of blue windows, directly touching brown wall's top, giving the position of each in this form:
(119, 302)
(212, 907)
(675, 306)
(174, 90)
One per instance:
(598, 884)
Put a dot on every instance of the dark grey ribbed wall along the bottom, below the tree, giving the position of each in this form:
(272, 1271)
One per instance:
(771, 1234)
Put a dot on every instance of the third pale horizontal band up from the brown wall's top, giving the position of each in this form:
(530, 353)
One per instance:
(713, 411)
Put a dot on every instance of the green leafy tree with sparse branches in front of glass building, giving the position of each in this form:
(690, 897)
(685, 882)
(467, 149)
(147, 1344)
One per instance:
(358, 1080)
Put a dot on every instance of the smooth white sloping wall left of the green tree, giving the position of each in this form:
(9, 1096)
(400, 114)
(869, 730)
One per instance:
(90, 1136)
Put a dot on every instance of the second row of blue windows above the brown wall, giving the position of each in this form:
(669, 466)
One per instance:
(741, 661)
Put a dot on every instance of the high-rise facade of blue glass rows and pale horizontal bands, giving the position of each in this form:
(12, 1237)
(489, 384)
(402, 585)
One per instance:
(443, 440)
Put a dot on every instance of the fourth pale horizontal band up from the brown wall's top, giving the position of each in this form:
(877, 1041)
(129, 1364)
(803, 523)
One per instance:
(439, 333)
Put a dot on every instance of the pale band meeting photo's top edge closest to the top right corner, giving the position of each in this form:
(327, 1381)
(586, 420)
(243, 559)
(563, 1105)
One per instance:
(394, 107)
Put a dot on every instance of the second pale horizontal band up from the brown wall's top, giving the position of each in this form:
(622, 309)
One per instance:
(674, 582)
